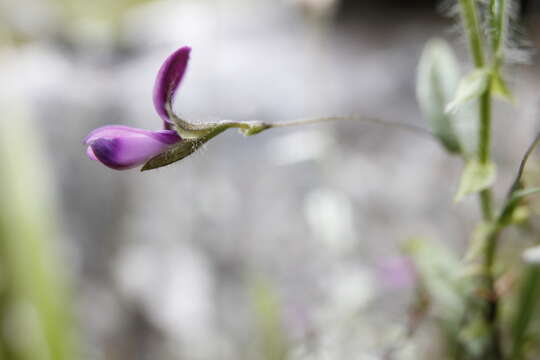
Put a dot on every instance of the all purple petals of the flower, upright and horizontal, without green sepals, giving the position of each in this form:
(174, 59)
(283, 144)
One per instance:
(122, 147)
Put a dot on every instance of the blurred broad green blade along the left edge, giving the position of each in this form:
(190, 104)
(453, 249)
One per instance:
(35, 311)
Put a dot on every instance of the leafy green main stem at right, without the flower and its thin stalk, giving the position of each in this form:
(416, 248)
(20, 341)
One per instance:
(483, 331)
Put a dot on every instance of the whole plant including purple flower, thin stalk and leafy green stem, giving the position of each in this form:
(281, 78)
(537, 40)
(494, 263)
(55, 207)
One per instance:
(466, 296)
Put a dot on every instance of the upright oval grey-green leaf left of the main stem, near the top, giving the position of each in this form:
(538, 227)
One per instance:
(436, 82)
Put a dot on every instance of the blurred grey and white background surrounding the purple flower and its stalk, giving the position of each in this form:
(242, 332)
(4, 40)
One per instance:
(286, 245)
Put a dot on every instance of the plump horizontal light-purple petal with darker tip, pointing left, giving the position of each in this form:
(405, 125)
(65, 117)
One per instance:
(122, 147)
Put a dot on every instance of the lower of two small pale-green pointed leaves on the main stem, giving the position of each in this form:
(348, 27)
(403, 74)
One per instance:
(476, 177)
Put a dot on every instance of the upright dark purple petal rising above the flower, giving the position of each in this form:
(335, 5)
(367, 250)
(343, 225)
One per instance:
(167, 81)
